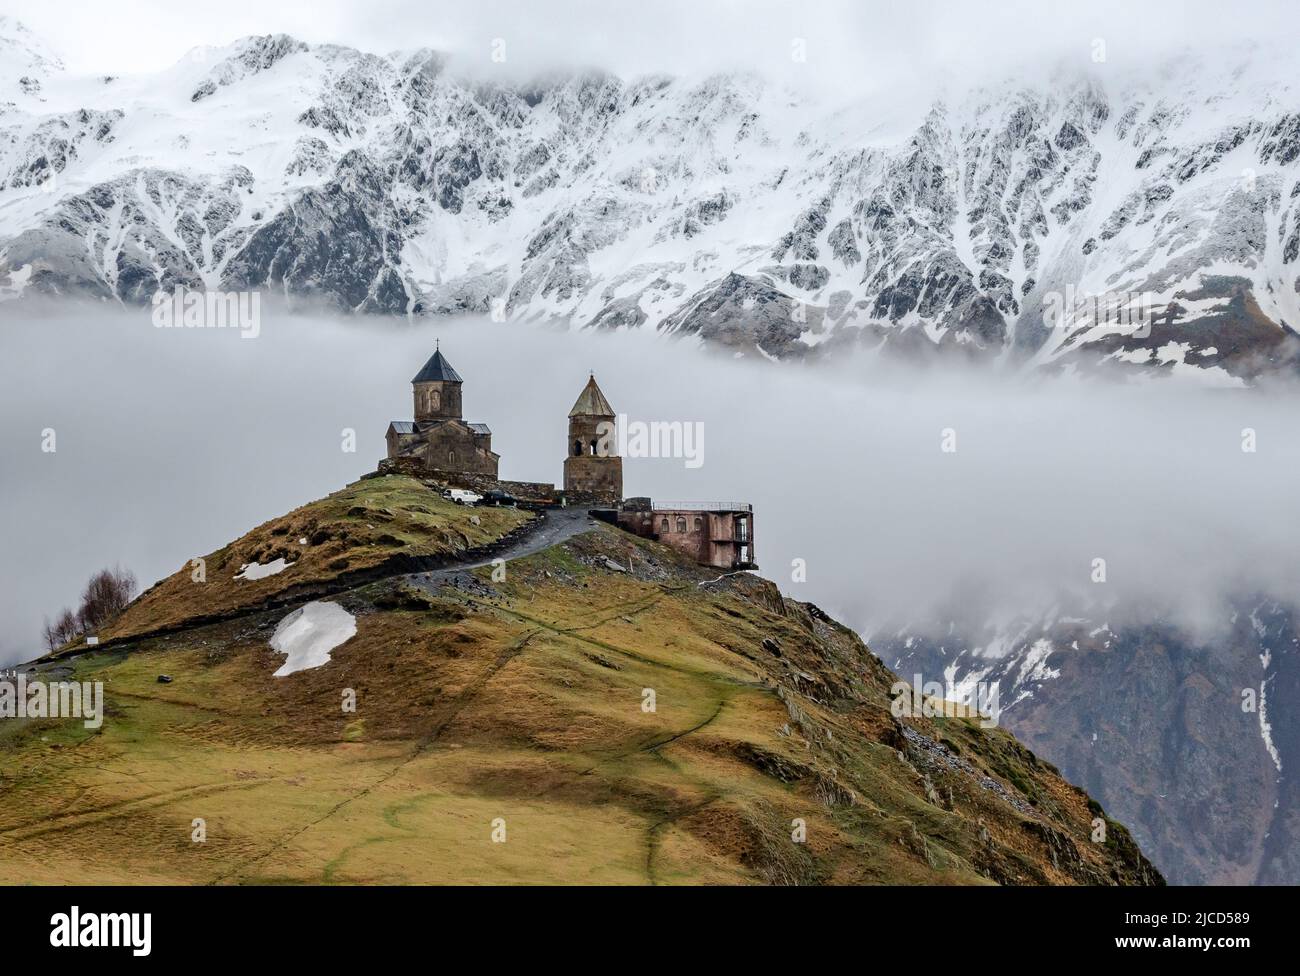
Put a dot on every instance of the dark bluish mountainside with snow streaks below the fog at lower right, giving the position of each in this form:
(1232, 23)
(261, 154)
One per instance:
(1185, 740)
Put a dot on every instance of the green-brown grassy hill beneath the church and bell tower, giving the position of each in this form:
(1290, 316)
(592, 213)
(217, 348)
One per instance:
(519, 705)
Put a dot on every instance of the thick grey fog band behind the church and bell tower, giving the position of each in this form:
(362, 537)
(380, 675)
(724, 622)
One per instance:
(171, 444)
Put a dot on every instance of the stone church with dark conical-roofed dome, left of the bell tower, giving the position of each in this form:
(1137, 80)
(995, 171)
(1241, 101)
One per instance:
(439, 437)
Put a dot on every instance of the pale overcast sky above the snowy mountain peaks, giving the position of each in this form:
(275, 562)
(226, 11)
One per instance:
(848, 42)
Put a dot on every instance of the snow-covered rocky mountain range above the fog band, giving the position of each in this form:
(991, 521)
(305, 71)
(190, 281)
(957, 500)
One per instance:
(726, 207)
